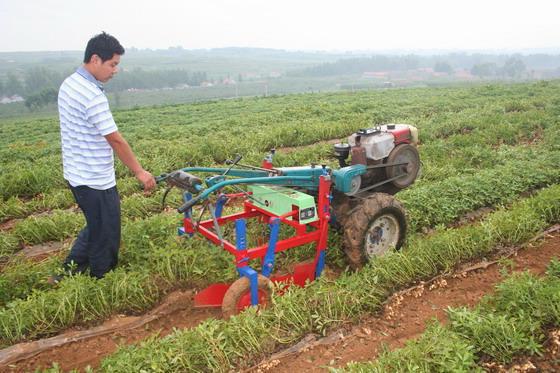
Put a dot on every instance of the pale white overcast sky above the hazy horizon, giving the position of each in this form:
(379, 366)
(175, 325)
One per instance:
(34, 25)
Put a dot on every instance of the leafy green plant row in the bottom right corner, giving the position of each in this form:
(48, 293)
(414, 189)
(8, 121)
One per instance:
(512, 322)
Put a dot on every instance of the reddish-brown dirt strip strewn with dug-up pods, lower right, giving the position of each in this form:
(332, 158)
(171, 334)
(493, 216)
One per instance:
(406, 314)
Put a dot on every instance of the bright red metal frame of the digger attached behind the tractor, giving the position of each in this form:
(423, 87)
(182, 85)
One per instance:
(316, 231)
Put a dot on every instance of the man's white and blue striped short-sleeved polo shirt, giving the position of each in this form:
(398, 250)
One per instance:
(85, 118)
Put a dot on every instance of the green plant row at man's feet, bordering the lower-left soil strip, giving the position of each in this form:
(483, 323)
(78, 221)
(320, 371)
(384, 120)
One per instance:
(130, 288)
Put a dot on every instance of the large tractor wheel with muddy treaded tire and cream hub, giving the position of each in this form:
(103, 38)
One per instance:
(374, 227)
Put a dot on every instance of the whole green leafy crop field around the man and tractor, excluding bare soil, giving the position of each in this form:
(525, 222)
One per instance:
(490, 146)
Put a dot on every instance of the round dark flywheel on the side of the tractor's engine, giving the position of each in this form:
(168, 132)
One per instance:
(400, 154)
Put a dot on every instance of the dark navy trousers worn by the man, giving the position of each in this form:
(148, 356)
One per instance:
(97, 245)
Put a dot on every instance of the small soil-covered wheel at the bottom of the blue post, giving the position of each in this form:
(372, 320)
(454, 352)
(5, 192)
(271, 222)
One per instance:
(238, 296)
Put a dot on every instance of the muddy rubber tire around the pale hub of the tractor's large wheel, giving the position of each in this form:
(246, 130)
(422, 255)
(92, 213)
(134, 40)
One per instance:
(360, 219)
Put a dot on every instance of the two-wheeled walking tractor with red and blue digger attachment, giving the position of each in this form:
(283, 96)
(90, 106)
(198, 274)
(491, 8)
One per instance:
(357, 197)
